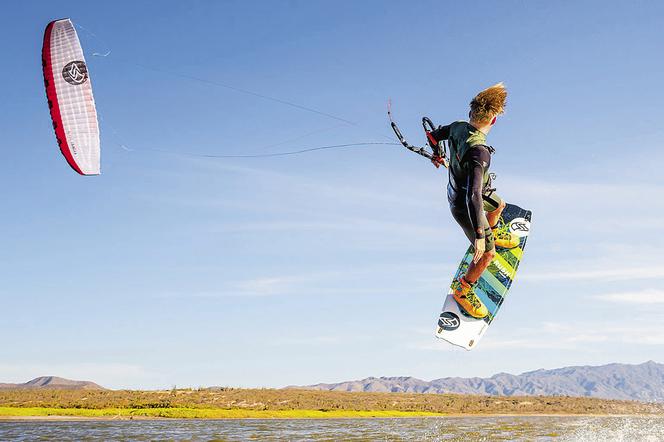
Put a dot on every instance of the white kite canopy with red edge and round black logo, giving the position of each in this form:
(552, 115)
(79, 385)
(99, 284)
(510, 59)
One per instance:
(69, 93)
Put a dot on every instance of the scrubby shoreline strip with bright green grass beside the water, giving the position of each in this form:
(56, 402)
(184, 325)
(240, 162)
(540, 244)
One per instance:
(232, 403)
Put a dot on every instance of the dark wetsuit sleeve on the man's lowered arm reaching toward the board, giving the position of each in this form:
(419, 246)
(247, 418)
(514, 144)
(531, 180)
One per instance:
(477, 161)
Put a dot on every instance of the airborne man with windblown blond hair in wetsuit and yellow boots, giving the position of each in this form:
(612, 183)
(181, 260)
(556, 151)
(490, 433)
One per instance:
(474, 205)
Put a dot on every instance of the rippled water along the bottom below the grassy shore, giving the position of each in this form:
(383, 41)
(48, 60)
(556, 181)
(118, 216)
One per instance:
(426, 429)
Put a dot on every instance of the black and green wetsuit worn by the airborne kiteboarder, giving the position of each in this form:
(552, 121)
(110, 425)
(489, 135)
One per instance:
(468, 190)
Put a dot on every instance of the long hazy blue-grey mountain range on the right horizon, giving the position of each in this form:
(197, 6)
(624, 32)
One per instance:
(643, 382)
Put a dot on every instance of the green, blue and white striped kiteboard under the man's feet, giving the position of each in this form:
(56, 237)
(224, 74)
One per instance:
(454, 324)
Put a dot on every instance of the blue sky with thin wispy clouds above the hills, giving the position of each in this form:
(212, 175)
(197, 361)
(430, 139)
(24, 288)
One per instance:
(171, 269)
